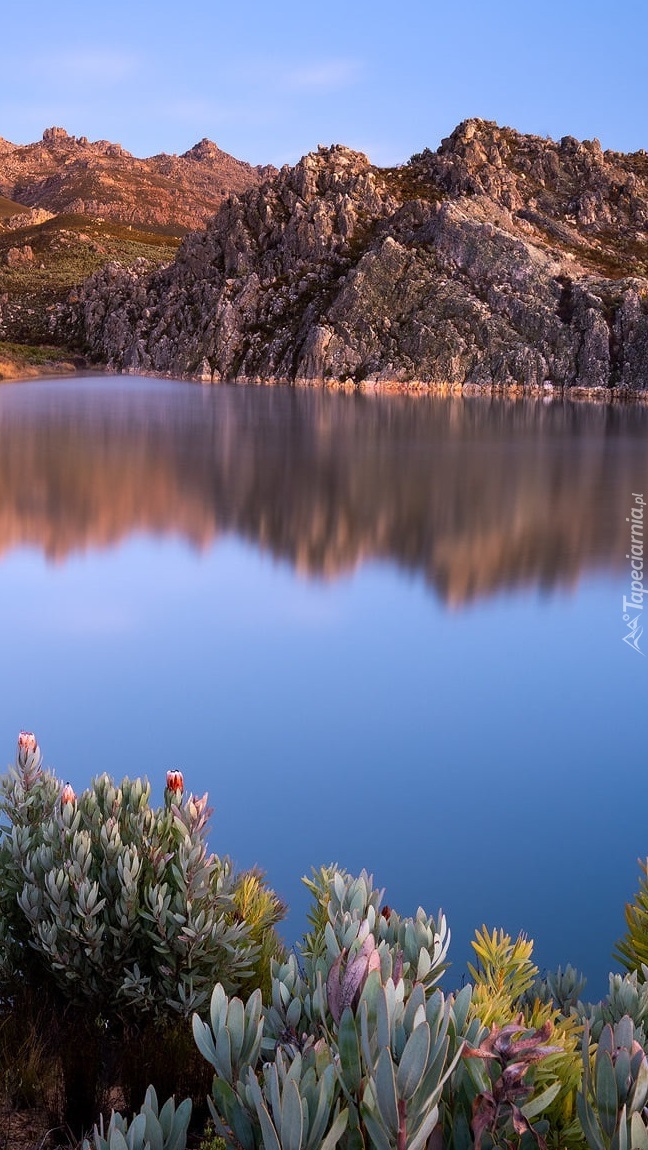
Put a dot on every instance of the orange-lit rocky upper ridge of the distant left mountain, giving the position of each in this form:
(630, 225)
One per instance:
(68, 174)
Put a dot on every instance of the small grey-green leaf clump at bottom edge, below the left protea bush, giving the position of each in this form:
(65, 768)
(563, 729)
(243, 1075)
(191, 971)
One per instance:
(150, 1130)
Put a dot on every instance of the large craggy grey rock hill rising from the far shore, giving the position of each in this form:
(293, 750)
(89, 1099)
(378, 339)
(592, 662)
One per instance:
(500, 260)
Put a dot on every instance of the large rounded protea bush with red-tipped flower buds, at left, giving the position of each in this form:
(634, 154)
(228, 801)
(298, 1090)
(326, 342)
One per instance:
(117, 921)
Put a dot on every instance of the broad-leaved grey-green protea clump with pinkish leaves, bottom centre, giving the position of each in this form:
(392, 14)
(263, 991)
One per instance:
(354, 1047)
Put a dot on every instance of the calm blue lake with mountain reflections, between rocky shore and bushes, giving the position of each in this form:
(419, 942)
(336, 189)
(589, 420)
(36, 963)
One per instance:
(385, 632)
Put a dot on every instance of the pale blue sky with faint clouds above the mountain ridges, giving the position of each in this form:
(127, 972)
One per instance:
(270, 82)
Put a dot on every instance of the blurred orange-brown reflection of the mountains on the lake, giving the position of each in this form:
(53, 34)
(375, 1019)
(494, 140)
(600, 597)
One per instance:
(479, 495)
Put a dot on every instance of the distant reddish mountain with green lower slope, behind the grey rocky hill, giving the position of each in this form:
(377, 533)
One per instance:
(68, 208)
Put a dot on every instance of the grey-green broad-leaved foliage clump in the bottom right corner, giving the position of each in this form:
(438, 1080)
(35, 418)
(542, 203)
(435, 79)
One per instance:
(614, 1090)
